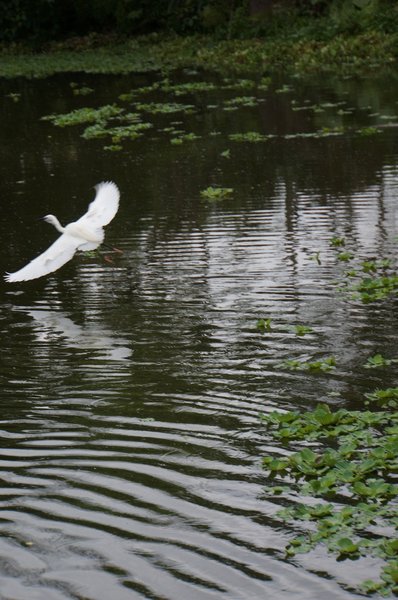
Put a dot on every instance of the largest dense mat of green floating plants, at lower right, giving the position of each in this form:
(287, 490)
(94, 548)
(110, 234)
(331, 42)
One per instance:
(351, 467)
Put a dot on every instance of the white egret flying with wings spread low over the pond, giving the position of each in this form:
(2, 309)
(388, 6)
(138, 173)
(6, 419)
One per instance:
(84, 234)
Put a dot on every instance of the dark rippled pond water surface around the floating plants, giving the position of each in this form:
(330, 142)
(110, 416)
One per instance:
(131, 392)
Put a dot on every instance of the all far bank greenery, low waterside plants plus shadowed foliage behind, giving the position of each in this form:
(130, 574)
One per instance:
(345, 37)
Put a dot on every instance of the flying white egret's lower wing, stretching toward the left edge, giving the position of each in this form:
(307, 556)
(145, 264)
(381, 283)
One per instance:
(52, 259)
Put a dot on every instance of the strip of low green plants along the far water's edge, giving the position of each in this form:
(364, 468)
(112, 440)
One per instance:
(346, 55)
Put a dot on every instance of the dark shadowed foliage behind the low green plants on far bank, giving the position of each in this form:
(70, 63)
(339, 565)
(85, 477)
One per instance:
(44, 20)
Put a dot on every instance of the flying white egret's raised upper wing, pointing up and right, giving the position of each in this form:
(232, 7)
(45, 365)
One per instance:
(104, 206)
